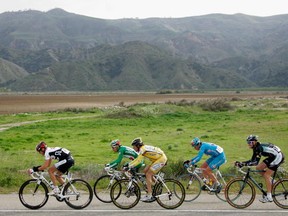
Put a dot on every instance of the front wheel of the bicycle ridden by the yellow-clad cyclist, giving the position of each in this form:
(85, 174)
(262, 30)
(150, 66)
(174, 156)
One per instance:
(124, 196)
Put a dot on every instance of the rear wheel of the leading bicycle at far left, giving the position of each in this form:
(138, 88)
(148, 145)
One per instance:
(79, 194)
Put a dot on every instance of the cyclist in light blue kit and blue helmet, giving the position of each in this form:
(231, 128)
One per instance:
(217, 158)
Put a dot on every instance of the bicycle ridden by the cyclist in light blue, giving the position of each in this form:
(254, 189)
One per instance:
(194, 183)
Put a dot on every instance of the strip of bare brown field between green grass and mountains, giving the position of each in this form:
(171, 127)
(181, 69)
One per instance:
(19, 103)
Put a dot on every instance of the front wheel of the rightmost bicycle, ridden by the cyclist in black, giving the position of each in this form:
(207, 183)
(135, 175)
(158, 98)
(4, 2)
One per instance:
(240, 194)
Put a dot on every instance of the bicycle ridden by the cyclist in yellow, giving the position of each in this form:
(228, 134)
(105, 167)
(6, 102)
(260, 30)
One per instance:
(168, 193)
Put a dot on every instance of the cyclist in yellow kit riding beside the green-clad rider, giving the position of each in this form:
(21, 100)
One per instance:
(158, 161)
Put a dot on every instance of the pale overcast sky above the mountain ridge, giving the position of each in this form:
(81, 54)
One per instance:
(116, 9)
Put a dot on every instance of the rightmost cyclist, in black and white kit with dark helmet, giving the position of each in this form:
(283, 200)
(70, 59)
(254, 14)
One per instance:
(274, 157)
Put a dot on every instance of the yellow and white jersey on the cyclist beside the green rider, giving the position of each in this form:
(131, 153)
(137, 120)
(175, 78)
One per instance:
(150, 152)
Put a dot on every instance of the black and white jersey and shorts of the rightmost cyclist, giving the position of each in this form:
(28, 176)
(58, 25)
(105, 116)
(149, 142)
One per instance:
(272, 152)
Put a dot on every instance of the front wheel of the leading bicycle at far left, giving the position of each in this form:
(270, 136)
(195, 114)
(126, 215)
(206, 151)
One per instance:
(33, 195)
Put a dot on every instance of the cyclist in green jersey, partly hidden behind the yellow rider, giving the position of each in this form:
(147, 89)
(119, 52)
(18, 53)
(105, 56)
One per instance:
(123, 151)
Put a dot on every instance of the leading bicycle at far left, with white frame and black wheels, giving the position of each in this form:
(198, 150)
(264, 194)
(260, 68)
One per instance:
(76, 193)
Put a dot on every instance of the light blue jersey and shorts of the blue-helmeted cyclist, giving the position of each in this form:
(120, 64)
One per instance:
(216, 152)
